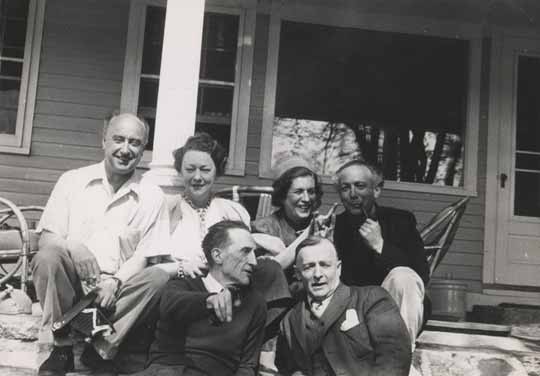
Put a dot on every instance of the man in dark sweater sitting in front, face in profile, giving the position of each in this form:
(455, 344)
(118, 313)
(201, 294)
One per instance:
(212, 325)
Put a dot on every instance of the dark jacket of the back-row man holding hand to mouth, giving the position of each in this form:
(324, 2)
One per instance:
(402, 247)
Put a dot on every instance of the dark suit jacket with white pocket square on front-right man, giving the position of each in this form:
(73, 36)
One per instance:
(378, 345)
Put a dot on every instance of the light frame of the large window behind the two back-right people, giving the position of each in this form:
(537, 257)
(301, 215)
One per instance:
(346, 17)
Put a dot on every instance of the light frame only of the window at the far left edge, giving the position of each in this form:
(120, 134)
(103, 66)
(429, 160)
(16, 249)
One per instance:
(20, 142)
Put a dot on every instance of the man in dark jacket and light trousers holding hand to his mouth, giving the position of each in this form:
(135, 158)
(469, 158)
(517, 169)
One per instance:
(380, 245)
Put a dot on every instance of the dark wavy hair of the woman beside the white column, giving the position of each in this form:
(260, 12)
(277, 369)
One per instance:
(207, 144)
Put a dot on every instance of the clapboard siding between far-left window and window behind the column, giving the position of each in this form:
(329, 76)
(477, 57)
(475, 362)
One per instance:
(80, 80)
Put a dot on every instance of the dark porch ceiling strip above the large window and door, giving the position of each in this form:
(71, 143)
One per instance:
(507, 13)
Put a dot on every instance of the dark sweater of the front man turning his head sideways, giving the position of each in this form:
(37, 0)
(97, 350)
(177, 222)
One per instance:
(189, 334)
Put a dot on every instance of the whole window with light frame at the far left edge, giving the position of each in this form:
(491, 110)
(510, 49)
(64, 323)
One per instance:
(21, 24)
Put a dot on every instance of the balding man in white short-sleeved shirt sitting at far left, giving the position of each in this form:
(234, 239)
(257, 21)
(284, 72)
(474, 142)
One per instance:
(102, 228)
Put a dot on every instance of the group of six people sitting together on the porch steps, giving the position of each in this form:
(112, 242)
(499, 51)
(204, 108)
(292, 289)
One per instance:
(327, 295)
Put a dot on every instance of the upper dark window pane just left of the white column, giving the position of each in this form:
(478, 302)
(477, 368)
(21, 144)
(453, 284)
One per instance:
(153, 40)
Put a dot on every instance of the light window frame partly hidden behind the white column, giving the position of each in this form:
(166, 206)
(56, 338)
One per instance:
(246, 10)
